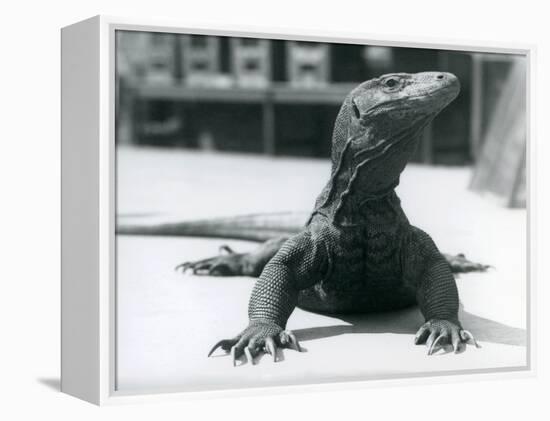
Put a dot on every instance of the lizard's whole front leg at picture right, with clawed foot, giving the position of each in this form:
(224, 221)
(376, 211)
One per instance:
(437, 297)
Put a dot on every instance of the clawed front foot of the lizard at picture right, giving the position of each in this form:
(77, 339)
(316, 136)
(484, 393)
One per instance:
(437, 333)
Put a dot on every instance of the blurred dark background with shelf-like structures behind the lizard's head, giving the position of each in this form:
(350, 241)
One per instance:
(280, 98)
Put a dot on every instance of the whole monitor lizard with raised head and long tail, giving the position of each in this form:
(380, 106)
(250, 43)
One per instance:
(357, 253)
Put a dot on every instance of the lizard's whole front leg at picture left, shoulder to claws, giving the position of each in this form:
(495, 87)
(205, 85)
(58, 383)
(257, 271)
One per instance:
(297, 265)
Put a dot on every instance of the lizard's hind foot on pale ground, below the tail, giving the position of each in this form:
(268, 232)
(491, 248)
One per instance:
(228, 263)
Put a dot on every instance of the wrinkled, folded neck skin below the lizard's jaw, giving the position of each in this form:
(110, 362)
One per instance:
(366, 164)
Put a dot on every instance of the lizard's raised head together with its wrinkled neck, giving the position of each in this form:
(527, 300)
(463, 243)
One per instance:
(376, 133)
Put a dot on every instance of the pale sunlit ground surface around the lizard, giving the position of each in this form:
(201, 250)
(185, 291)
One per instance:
(167, 322)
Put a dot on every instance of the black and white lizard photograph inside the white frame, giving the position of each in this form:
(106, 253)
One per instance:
(292, 212)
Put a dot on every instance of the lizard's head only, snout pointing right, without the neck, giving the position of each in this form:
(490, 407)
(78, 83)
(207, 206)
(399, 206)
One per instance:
(396, 106)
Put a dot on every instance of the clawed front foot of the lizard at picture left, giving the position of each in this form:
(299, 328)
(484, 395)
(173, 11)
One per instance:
(260, 335)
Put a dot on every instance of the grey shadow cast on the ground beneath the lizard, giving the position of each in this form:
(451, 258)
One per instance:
(407, 321)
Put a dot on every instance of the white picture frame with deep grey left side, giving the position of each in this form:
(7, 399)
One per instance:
(88, 342)
